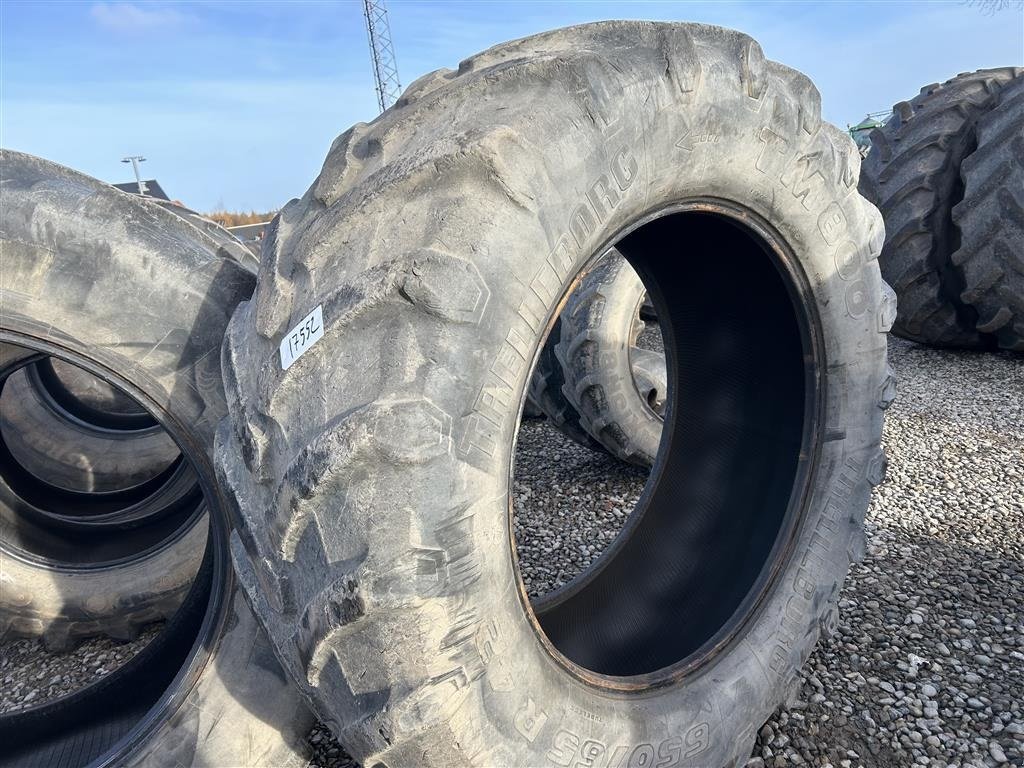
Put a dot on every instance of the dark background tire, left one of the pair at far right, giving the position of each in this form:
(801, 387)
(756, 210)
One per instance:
(913, 176)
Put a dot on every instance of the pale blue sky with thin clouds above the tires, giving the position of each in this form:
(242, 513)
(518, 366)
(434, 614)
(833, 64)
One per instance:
(236, 104)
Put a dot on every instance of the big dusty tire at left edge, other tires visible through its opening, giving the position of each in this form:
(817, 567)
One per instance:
(126, 291)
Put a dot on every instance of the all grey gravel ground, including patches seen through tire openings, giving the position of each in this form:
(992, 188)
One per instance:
(927, 665)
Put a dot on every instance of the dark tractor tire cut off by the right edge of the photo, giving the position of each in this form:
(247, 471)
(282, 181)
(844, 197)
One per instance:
(991, 219)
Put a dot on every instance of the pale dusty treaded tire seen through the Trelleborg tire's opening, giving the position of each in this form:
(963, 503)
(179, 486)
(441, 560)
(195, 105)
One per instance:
(613, 385)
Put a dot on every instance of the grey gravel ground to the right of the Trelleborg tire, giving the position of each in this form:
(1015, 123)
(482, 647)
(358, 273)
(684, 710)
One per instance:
(927, 666)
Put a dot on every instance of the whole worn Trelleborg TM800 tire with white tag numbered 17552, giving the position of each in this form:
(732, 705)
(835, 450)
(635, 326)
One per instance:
(376, 377)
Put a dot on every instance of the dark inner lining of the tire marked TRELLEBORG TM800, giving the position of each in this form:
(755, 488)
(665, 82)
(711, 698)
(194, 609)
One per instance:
(715, 520)
